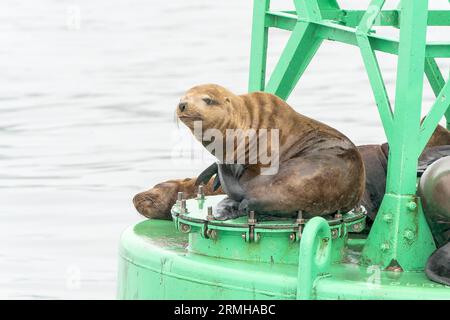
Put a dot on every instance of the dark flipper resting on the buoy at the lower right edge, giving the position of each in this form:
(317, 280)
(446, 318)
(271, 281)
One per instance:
(438, 266)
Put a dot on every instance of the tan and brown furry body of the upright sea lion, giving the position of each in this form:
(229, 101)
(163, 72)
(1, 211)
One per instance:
(320, 170)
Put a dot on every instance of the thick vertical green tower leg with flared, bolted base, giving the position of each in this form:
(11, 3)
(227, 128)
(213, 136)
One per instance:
(400, 235)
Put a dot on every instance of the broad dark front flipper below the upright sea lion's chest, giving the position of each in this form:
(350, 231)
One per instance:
(229, 175)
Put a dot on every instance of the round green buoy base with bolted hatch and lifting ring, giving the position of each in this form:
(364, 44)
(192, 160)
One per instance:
(195, 257)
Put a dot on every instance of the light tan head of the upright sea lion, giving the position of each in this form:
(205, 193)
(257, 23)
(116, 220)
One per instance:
(210, 104)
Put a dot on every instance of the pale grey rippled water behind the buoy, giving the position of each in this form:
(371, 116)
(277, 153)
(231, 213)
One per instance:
(87, 96)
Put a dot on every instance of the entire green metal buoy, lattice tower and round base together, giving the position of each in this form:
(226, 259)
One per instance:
(183, 260)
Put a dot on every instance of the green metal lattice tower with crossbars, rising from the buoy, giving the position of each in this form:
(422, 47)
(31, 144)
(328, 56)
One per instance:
(400, 236)
